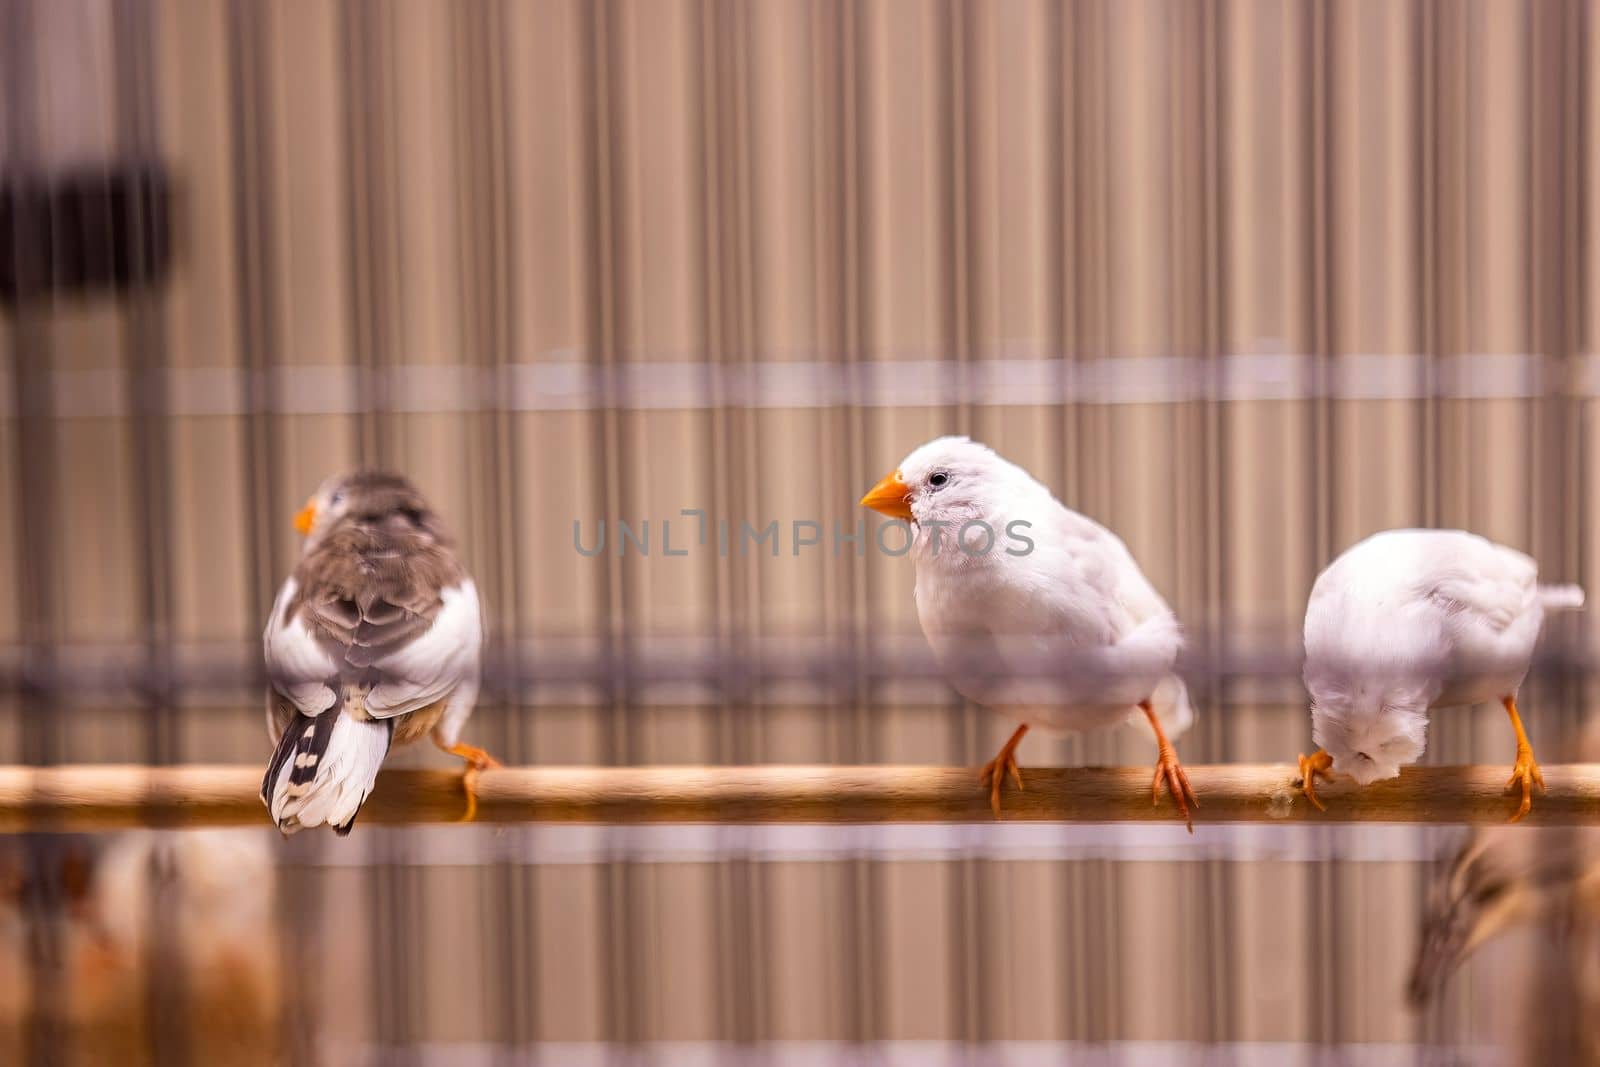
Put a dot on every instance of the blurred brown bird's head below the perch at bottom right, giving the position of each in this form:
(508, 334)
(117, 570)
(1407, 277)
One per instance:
(1479, 893)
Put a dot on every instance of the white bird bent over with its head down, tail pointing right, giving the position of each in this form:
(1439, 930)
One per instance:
(1417, 620)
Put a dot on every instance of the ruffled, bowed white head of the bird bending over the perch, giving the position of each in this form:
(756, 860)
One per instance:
(1370, 732)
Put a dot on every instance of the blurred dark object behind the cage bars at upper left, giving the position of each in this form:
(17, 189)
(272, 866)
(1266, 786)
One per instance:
(84, 233)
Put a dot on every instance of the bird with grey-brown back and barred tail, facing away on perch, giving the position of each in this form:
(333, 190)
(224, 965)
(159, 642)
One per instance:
(375, 641)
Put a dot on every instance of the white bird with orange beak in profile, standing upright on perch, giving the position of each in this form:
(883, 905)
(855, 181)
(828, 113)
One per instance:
(1034, 610)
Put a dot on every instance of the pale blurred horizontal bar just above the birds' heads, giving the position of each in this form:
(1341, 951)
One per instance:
(566, 382)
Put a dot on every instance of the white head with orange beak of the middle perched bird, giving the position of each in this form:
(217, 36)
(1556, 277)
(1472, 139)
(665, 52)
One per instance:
(953, 481)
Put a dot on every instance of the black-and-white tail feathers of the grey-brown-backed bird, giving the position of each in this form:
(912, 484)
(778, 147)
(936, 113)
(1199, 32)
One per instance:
(324, 770)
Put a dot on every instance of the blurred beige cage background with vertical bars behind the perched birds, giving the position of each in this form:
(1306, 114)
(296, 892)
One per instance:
(1242, 279)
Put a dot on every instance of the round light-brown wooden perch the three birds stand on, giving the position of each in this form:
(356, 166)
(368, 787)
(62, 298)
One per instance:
(118, 797)
